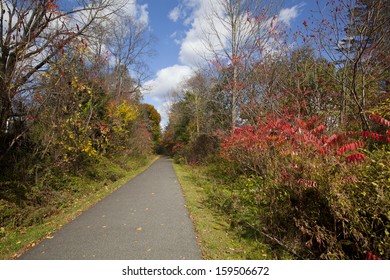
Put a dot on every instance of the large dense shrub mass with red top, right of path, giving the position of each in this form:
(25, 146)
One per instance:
(323, 197)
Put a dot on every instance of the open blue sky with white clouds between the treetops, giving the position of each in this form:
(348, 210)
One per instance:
(176, 25)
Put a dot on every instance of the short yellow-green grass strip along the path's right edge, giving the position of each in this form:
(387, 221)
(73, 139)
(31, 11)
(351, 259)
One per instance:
(217, 239)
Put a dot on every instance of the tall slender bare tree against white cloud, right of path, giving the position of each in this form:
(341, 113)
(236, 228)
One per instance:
(235, 30)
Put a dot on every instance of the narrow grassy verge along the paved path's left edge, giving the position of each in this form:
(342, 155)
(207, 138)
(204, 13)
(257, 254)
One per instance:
(81, 194)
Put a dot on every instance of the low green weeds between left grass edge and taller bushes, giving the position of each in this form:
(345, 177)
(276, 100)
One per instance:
(23, 205)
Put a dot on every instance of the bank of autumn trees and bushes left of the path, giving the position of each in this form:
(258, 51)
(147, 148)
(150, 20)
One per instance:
(62, 119)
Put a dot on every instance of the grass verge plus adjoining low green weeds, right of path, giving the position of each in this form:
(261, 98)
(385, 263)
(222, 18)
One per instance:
(219, 237)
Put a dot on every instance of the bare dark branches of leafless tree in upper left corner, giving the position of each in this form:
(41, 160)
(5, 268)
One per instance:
(33, 32)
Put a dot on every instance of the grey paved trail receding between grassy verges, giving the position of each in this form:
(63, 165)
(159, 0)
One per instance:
(144, 219)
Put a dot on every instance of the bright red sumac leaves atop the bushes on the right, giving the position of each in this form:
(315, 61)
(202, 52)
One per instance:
(288, 137)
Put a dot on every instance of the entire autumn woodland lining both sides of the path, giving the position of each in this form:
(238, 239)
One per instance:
(292, 129)
